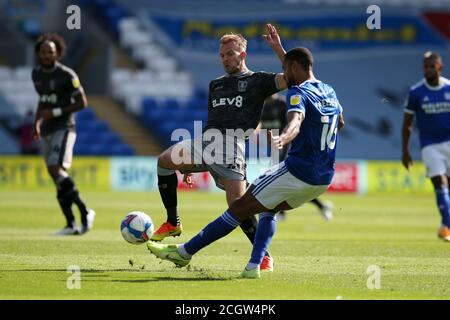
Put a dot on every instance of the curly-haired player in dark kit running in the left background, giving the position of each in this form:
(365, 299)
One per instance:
(60, 96)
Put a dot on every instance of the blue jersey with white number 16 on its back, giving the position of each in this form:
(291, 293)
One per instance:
(313, 151)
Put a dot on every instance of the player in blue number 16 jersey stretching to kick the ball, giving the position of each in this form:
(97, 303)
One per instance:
(313, 109)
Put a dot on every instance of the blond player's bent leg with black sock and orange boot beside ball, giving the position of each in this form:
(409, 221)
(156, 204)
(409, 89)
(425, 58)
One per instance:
(174, 158)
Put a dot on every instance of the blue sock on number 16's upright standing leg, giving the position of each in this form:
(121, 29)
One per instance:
(266, 229)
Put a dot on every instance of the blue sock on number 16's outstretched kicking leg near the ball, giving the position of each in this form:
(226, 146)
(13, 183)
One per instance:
(217, 229)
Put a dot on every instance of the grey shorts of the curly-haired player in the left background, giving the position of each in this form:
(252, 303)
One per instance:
(58, 148)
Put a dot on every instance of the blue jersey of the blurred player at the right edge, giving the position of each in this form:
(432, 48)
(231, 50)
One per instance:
(431, 106)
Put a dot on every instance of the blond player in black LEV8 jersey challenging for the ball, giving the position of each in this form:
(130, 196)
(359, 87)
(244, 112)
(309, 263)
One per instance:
(235, 102)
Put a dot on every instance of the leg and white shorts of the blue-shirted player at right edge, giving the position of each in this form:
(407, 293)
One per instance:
(435, 158)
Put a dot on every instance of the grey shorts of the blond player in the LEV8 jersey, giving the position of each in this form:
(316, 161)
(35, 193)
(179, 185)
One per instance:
(223, 160)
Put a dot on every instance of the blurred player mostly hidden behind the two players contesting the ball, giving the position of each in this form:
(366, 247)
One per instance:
(274, 117)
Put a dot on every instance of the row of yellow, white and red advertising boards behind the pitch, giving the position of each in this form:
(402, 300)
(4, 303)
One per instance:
(139, 174)
